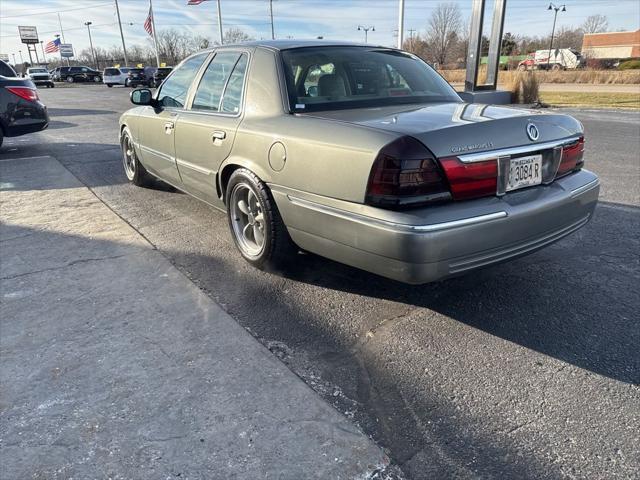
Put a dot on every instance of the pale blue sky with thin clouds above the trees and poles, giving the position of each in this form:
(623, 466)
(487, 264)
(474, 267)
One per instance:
(333, 19)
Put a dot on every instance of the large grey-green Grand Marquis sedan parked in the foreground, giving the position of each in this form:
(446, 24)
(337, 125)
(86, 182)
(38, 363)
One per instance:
(361, 154)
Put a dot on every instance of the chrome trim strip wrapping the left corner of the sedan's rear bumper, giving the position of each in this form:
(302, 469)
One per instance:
(399, 227)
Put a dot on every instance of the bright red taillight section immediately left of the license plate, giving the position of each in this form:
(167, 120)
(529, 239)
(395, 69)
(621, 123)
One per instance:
(470, 180)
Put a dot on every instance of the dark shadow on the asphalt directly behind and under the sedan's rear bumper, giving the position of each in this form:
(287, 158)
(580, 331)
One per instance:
(555, 301)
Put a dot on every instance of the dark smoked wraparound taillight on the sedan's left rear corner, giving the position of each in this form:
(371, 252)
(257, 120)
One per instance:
(405, 173)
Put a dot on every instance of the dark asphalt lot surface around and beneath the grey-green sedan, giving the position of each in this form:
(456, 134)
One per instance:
(525, 370)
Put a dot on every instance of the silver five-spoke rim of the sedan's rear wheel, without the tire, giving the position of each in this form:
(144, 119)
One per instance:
(247, 219)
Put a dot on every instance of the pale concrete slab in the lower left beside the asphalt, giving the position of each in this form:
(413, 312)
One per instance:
(114, 365)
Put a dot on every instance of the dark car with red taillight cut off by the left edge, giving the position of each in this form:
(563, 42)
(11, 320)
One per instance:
(21, 110)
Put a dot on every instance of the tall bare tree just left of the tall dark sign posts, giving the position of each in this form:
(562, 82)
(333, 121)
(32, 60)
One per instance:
(442, 31)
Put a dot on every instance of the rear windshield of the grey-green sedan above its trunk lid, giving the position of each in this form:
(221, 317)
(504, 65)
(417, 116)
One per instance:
(327, 78)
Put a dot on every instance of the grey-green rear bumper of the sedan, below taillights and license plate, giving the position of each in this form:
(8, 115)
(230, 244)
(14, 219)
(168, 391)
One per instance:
(433, 243)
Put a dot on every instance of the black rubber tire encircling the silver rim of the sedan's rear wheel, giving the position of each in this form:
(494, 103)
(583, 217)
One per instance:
(277, 249)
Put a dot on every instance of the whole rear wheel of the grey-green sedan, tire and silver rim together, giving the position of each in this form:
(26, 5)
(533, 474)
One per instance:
(255, 223)
